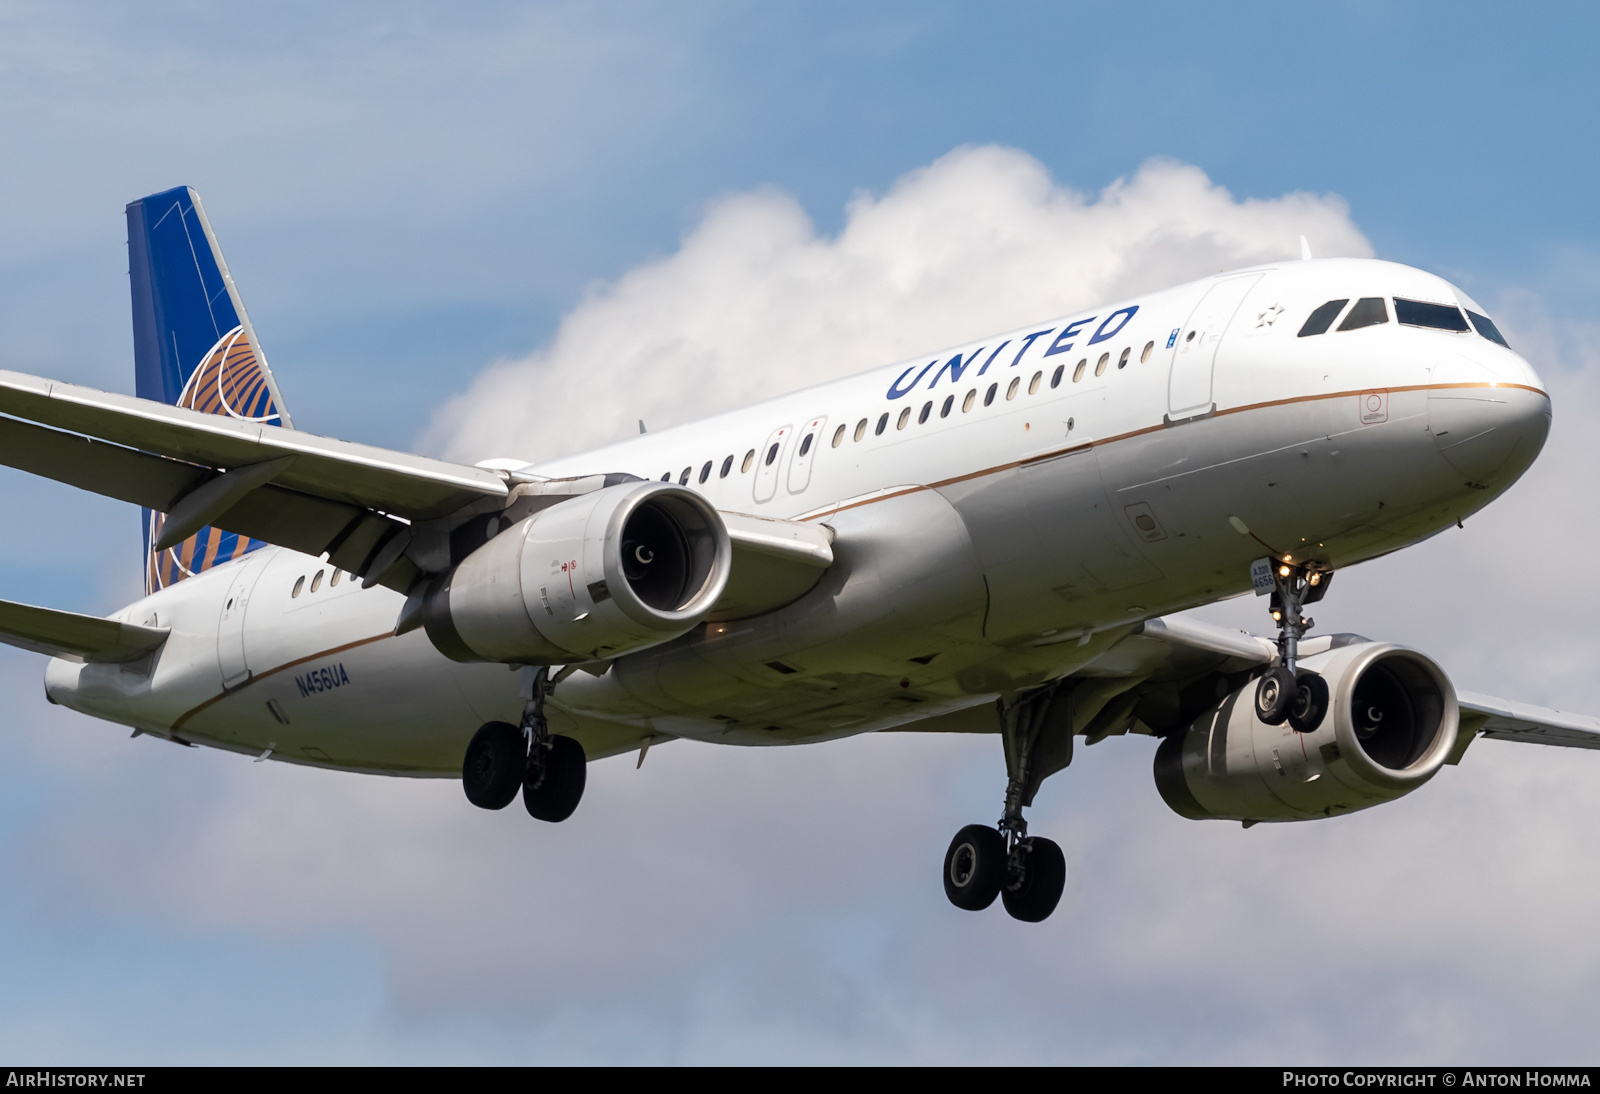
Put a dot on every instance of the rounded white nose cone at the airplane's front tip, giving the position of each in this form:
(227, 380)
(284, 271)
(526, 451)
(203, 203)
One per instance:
(1489, 421)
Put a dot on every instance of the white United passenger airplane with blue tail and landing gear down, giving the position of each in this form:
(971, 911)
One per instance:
(993, 538)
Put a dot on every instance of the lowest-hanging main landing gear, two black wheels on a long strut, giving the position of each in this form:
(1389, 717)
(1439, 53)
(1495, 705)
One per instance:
(1026, 872)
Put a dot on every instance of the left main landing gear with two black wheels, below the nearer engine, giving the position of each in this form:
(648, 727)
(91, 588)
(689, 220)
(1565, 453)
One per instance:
(550, 770)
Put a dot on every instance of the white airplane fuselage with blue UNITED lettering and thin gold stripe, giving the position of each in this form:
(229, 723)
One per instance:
(1015, 516)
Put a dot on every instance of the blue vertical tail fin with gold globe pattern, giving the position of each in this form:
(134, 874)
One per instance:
(193, 346)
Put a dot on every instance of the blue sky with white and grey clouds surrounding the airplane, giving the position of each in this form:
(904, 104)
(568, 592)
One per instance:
(516, 230)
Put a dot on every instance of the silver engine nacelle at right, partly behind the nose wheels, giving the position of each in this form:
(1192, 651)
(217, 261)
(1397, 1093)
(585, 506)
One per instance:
(1391, 724)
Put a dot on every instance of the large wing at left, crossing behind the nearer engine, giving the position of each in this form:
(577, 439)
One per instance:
(374, 513)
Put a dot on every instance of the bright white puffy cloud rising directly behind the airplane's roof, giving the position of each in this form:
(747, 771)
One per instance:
(756, 303)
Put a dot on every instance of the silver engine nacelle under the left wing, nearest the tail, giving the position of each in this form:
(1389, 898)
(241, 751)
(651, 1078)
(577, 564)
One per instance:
(596, 577)
